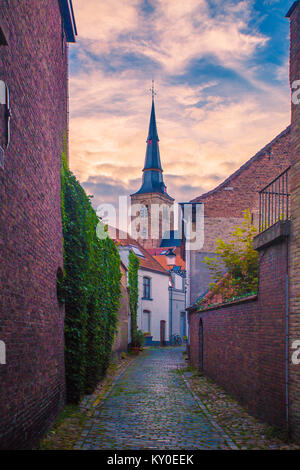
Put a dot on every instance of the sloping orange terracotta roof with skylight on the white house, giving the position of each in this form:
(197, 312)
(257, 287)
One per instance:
(147, 261)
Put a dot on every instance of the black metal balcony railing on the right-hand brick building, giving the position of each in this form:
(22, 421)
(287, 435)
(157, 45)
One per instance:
(274, 202)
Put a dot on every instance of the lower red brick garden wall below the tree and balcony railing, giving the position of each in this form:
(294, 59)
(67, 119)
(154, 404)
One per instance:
(244, 343)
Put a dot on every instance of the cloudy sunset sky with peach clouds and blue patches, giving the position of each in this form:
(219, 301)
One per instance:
(221, 76)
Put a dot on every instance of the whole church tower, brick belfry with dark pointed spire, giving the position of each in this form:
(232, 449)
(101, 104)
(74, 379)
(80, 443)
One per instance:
(152, 207)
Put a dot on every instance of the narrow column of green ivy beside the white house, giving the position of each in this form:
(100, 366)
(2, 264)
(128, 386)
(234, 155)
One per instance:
(133, 268)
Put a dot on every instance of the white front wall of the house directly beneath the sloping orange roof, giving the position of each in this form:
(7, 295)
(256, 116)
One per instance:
(153, 311)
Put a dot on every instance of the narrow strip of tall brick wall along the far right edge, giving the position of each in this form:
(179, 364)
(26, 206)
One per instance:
(294, 321)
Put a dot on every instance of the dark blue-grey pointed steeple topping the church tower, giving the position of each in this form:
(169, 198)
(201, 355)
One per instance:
(152, 172)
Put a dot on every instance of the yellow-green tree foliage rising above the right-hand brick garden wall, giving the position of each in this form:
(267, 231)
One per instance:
(238, 259)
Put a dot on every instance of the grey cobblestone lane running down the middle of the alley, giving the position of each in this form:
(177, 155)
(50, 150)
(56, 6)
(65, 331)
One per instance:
(150, 407)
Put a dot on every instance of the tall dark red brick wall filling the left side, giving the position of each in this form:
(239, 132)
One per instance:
(34, 65)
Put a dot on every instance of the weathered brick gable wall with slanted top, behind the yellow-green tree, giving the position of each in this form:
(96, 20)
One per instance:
(224, 206)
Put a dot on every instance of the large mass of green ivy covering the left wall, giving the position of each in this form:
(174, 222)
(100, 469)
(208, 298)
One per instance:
(90, 289)
